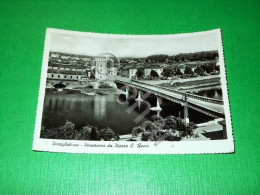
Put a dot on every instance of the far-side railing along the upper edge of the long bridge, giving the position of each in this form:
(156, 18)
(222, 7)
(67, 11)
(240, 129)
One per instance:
(206, 99)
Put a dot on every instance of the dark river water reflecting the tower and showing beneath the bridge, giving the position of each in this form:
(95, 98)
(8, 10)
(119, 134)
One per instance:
(106, 111)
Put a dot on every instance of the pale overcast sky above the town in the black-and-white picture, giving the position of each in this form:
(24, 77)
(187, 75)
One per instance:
(136, 46)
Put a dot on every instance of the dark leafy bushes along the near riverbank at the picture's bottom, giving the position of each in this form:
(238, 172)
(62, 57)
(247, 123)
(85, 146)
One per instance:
(170, 128)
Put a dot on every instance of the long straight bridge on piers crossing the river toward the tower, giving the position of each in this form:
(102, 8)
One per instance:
(209, 106)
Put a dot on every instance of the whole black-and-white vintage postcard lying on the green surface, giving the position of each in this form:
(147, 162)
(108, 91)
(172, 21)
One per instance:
(134, 94)
